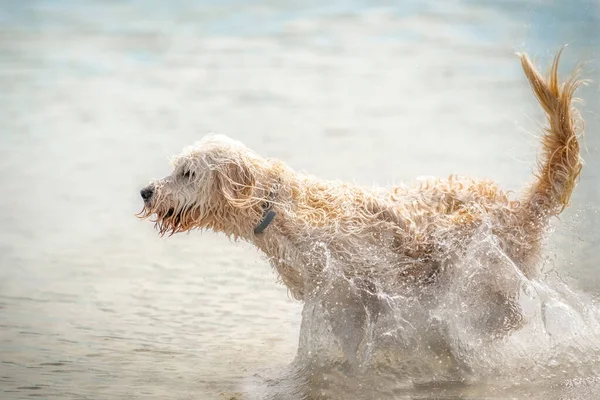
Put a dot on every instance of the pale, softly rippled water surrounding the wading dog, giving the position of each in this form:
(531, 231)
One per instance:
(95, 95)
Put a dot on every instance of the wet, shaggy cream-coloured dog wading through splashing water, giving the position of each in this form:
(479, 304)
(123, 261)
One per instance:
(393, 239)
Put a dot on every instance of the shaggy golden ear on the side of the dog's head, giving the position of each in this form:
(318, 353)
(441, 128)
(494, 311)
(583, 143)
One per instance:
(237, 184)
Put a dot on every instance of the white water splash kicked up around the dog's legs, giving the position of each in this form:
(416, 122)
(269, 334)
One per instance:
(359, 341)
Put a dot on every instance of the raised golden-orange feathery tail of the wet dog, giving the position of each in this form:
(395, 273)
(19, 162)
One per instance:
(560, 163)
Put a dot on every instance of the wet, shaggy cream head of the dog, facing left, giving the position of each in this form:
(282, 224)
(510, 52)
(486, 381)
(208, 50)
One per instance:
(216, 184)
